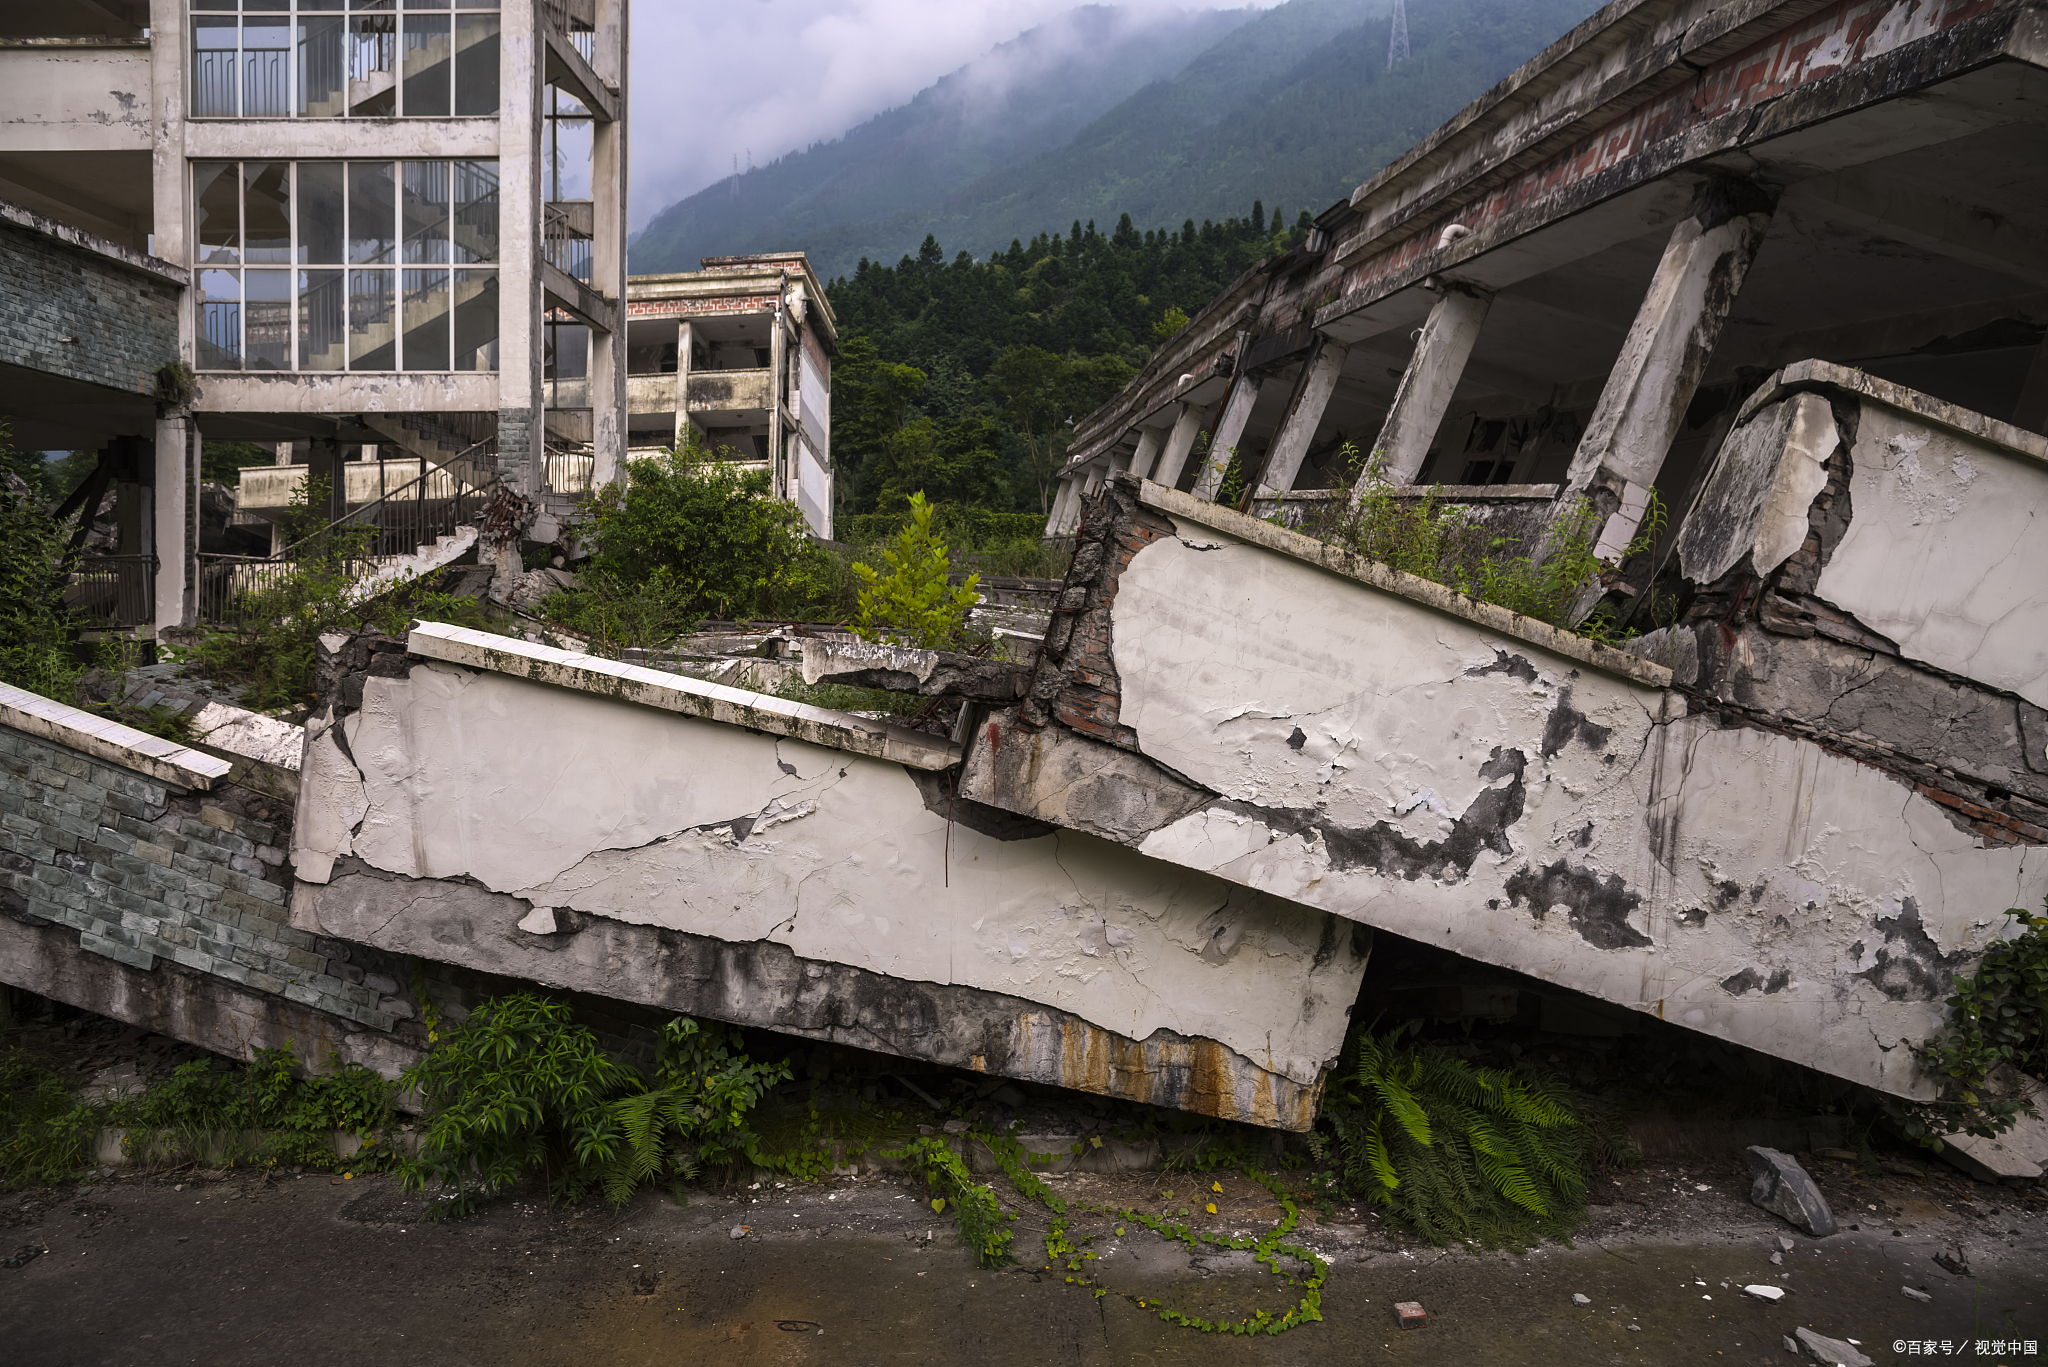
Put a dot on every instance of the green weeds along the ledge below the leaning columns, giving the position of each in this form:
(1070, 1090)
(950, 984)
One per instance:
(1449, 546)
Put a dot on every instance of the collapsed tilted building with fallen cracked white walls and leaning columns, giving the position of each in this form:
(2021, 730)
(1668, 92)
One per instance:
(1779, 263)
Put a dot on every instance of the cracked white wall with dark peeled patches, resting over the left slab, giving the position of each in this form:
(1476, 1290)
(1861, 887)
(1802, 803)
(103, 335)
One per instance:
(1400, 757)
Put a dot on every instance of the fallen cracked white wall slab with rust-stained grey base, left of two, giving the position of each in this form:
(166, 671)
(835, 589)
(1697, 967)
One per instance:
(478, 819)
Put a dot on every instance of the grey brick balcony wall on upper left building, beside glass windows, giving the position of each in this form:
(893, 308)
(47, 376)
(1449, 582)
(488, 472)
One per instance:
(126, 323)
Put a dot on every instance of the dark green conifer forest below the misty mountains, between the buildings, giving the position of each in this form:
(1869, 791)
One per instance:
(964, 378)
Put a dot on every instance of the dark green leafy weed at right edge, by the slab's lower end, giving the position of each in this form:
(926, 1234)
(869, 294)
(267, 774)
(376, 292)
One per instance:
(1998, 1024)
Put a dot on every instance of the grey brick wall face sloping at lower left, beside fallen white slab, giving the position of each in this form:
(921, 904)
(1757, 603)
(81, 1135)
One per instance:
(148, 872)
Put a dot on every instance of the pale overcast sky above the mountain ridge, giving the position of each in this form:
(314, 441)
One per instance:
(716, 79)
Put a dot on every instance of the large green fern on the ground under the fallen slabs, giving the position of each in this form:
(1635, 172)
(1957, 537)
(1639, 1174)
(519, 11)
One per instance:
(1453, 1151)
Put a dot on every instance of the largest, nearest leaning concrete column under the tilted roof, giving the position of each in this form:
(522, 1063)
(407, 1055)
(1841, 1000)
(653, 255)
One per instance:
(1664, 356)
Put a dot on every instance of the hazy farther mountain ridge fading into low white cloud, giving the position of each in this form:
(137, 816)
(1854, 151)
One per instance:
(1023, 97)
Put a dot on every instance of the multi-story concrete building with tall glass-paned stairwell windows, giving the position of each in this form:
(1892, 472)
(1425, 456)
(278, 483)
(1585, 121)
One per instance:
(335, 222)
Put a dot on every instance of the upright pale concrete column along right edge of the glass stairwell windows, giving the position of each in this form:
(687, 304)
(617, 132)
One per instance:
(521, 354)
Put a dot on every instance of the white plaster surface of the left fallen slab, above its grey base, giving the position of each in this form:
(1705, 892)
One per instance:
(587, 804)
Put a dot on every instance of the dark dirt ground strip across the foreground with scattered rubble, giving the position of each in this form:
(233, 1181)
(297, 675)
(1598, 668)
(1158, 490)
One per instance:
(304, 1270)
